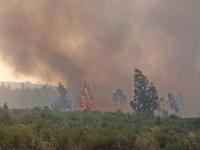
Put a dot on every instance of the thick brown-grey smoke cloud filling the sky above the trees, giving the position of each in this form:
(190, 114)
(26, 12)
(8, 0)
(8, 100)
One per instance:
(103, 41)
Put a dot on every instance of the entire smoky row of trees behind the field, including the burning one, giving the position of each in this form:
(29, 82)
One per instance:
(144, 99)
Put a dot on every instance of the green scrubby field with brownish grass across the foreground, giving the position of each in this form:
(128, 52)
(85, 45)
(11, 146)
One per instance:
(45, 129)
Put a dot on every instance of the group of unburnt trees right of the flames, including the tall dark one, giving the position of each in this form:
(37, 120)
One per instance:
(146, 100)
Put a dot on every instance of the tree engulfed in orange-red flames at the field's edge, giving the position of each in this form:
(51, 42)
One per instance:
(86, 103)
